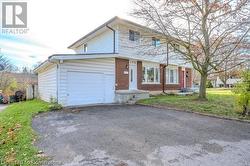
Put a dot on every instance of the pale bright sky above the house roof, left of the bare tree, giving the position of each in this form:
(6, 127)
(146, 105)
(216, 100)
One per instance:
(55, 24)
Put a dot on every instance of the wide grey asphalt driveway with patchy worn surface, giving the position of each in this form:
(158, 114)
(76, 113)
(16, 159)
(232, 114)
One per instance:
(139, 135)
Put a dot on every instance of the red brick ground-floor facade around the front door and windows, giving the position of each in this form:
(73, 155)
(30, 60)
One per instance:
(122, 77)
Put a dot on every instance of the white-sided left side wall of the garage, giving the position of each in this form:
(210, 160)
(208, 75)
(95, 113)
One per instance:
(47, 84)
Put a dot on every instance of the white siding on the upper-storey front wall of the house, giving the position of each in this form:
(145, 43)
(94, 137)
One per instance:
(146, 48)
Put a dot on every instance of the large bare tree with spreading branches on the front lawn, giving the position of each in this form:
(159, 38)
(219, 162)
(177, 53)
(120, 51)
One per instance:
(210, 31)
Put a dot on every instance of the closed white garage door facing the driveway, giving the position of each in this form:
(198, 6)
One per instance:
(89, 88)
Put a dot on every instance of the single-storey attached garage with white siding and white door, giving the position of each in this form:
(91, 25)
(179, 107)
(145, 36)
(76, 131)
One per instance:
(78, 82)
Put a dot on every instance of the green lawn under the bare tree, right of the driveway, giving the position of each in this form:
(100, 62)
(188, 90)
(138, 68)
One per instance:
(220, 102)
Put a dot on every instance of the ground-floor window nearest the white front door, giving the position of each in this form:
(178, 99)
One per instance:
(150, 74)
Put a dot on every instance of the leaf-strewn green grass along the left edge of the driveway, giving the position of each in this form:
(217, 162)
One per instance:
(16, 134)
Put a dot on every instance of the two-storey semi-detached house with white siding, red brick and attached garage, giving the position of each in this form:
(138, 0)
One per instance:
(108, 67)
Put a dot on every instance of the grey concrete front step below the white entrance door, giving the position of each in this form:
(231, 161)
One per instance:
(130, 96)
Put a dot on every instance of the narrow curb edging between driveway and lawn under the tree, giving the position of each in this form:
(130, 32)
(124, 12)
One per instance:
(198, 113)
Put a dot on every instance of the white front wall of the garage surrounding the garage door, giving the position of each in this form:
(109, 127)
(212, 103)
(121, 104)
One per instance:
(105, 66)
